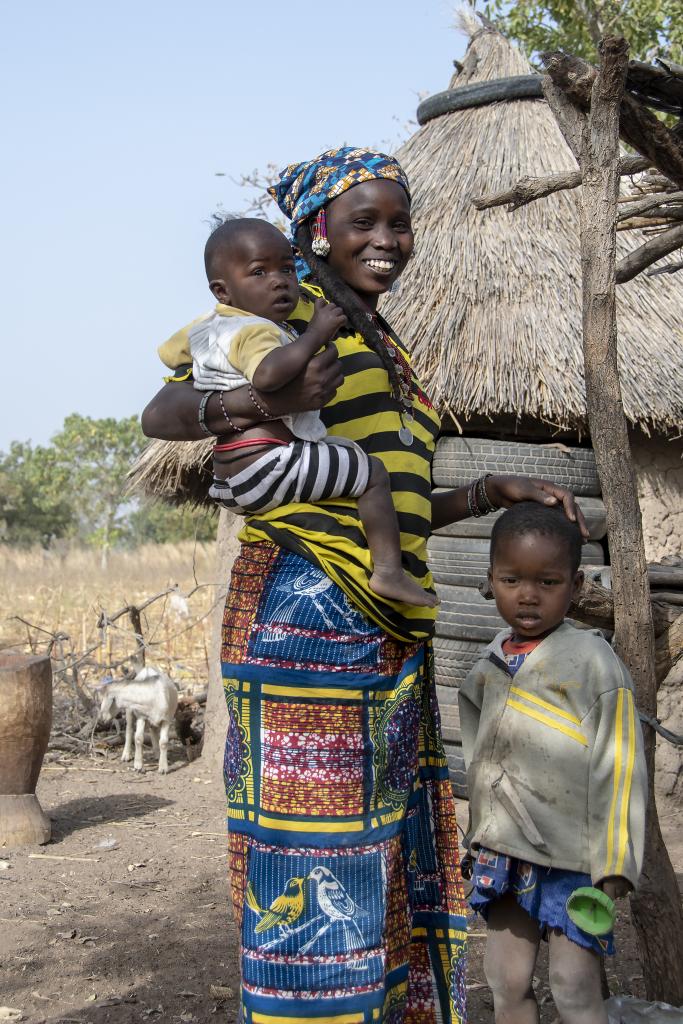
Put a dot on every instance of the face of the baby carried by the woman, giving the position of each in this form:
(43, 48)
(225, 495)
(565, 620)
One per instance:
(259, 275)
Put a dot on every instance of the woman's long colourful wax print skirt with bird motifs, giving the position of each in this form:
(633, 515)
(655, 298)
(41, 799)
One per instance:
(344, 849)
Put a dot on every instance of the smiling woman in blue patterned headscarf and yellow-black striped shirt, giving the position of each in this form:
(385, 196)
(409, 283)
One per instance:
(344, 845)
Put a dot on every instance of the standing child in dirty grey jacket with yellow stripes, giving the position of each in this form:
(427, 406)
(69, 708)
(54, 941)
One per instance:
(557, 774)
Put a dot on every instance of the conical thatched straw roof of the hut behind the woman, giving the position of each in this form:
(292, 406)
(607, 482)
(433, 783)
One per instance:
(491, 306)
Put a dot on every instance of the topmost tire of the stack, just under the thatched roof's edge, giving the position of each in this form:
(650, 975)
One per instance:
(460, 460)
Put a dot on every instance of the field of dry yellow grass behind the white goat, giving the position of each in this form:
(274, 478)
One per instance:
(67, 592)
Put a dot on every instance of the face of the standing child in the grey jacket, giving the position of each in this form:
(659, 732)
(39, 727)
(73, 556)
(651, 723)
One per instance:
(533, 583)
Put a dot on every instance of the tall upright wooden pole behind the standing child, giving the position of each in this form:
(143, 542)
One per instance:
(656, 907)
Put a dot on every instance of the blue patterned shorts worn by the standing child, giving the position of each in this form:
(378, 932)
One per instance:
(543, 892)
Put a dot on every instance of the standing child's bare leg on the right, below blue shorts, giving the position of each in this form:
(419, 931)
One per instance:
(575, 982)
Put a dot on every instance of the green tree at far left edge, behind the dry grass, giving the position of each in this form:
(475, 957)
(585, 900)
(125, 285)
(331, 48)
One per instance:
(30, 511)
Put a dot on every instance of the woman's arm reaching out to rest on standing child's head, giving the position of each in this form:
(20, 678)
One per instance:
(451, 506)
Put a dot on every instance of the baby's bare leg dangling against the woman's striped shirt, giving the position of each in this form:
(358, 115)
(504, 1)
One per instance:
(379, 519)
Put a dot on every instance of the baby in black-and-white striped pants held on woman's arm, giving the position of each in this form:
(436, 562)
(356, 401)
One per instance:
(251, 272)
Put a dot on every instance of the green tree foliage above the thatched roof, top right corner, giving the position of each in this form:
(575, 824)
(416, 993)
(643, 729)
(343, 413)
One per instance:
(654, 28)
